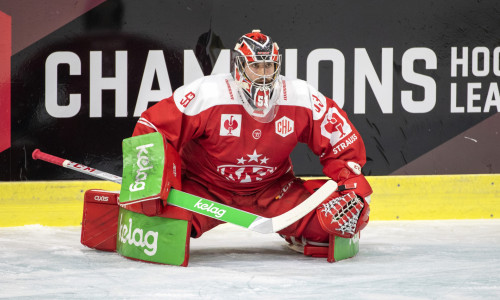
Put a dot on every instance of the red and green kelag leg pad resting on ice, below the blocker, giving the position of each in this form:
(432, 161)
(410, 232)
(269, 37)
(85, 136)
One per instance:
(161, 239)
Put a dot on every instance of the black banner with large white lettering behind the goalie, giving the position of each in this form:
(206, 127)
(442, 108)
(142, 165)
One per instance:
(419, 79)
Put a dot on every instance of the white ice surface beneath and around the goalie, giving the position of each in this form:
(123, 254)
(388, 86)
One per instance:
(397, 260)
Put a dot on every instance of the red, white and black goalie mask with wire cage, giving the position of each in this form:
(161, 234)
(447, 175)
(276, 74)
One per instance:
(257, 65)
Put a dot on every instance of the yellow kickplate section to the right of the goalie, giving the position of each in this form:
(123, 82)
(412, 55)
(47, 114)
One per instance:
(436, 197)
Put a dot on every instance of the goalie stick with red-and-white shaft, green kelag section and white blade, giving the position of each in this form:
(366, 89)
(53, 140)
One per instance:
(210, 208)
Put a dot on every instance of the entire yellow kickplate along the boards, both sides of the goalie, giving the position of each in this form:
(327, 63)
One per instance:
(437, 197)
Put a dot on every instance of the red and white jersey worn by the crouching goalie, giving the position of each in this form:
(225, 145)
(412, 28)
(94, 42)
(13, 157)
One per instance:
(222, 144)
